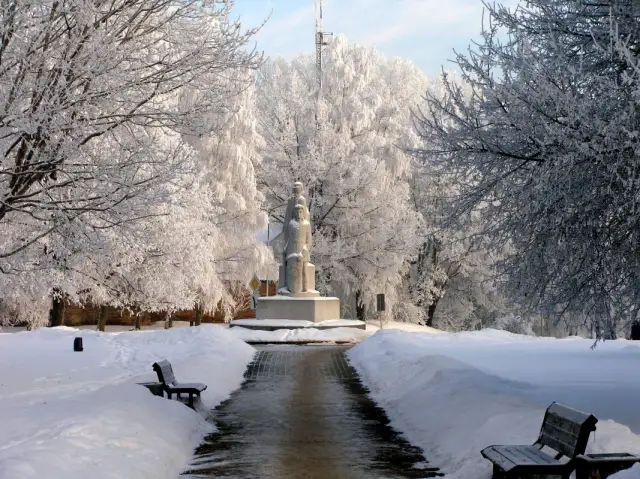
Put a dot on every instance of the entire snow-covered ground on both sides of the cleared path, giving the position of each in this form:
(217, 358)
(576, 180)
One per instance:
(78, 415)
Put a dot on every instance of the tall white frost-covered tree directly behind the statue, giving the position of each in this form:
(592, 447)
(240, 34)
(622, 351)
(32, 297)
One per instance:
(344, 143)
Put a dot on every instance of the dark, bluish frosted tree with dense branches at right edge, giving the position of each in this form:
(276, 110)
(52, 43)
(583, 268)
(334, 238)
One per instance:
(546, 149)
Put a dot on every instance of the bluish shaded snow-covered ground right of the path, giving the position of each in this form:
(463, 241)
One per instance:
(454, 394)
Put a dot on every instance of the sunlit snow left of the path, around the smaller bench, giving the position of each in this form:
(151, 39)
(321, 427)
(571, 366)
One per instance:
(71, 415)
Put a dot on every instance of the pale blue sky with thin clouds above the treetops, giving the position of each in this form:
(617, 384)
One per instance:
(424, 31)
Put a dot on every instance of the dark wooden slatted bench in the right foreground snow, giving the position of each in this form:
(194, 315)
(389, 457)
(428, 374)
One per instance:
(565, 431)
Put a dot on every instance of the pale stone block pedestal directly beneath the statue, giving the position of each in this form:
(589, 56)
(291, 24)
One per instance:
(314, 309)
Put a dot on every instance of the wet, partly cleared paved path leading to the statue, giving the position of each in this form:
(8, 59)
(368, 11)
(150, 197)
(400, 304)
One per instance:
(302, 413)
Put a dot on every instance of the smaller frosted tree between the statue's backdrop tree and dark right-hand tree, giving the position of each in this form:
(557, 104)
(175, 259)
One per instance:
(451, 281)
